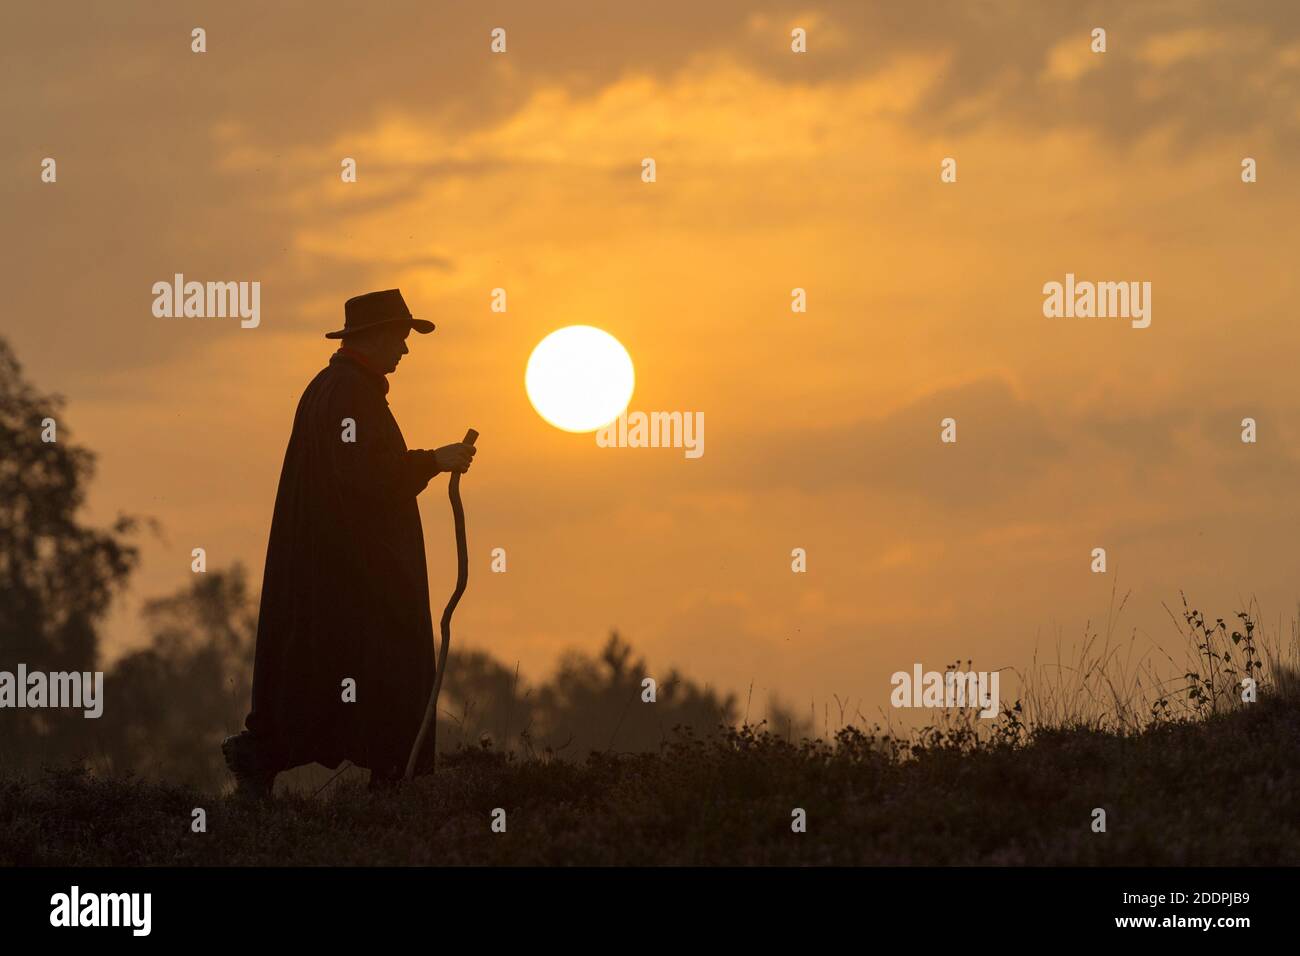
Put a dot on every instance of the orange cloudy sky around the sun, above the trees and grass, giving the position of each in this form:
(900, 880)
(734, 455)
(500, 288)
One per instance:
(775, 171)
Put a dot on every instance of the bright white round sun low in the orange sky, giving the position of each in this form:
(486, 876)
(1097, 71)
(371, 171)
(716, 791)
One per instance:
(580, 379)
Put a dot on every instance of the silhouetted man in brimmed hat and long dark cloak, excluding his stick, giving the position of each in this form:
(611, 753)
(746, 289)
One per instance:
(345, 637)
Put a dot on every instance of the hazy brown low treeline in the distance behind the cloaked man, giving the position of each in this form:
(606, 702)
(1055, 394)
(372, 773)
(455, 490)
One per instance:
(168, 706)
